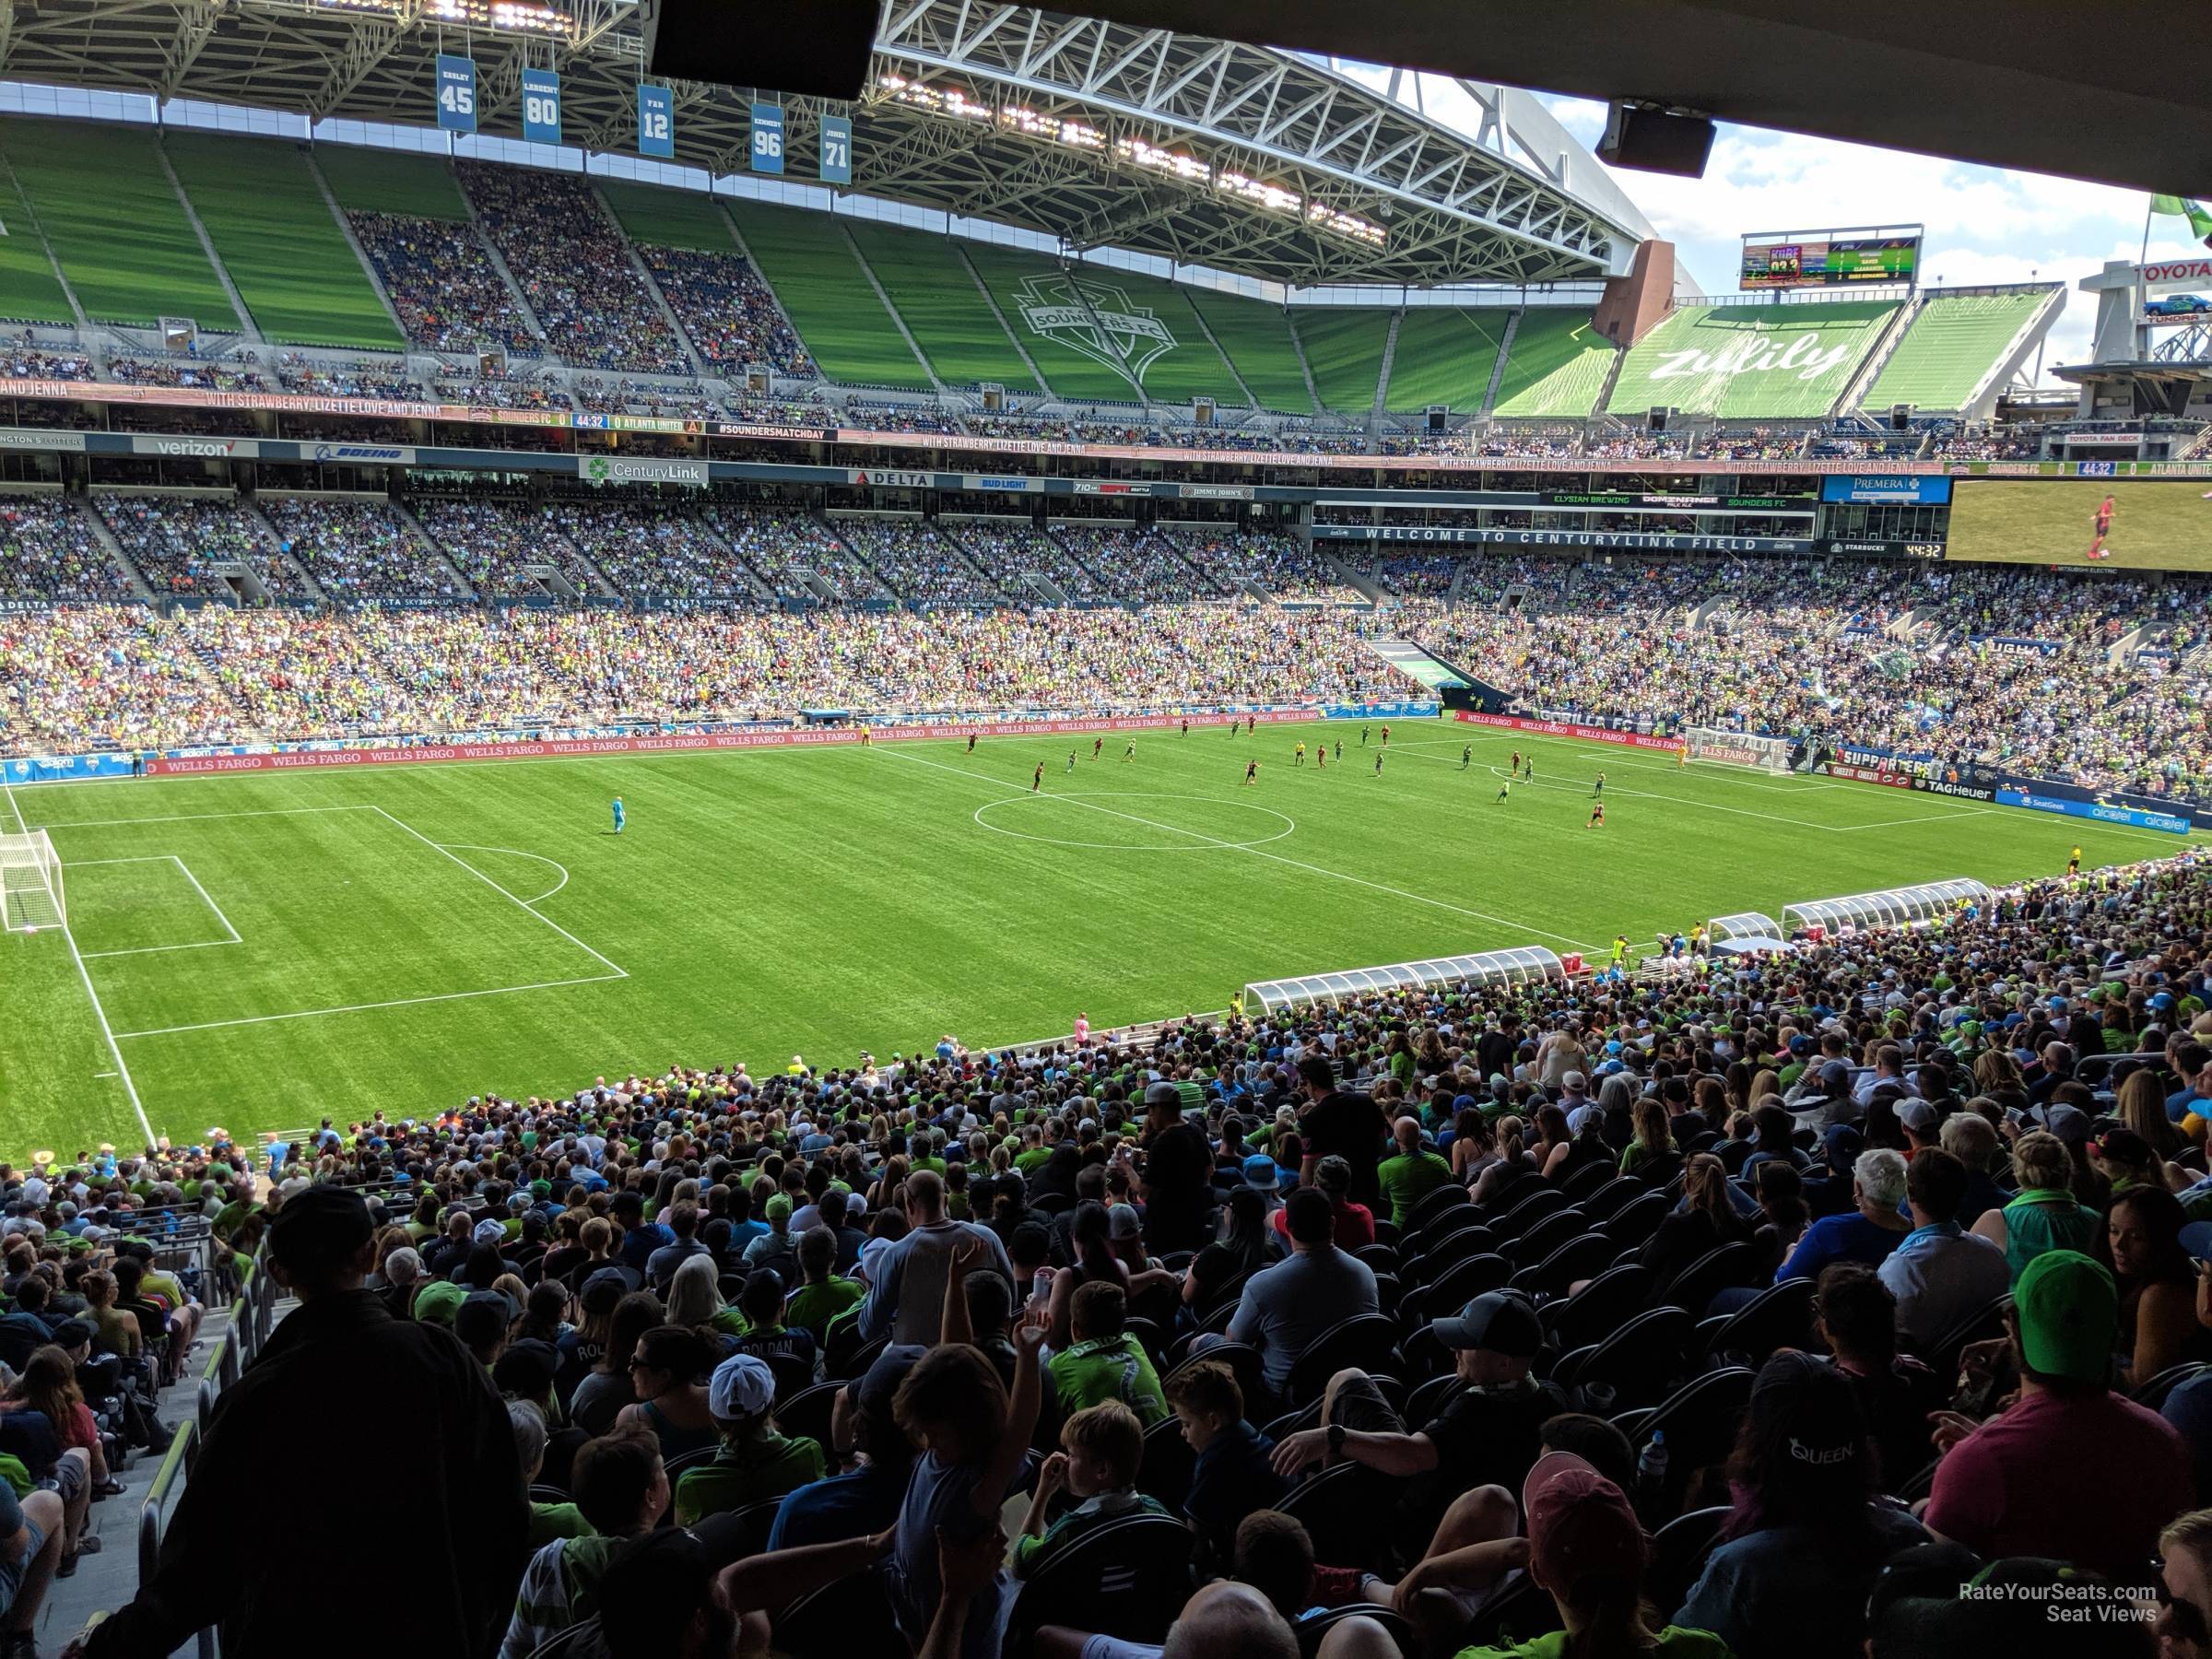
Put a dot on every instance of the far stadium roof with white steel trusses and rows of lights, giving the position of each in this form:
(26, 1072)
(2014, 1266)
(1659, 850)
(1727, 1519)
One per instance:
(1200, 152)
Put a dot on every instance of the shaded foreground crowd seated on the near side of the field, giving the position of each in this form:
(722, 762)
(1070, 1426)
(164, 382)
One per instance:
(1764, 1308)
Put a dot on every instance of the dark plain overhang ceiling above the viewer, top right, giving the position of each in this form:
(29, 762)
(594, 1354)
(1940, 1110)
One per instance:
(2089, 92)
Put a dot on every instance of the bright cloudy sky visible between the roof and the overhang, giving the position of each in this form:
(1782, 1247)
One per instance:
(1983, 225)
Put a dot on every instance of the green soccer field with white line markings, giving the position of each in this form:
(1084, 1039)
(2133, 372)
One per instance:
(267, 950)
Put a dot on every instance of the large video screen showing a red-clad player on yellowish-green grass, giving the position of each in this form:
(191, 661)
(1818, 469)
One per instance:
(2085, 521)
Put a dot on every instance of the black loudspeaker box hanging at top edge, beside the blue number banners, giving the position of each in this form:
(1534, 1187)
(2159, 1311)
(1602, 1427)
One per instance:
(817, 50)
